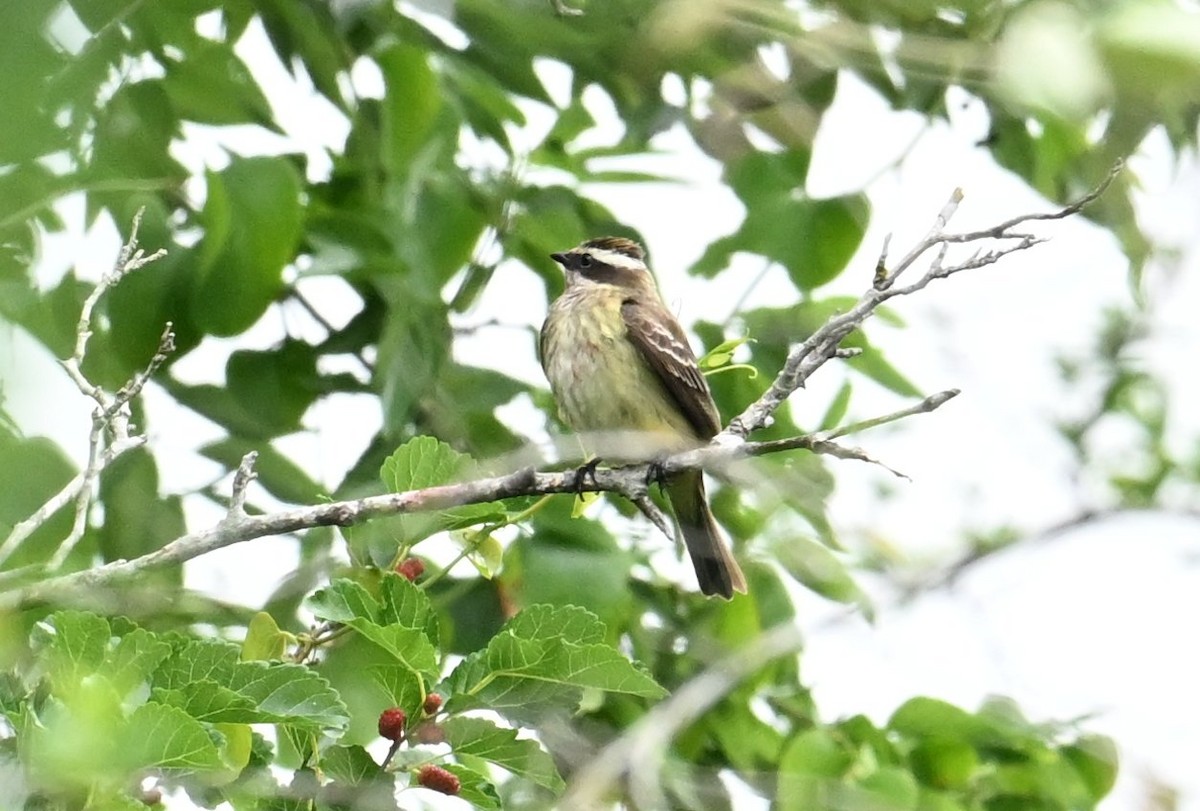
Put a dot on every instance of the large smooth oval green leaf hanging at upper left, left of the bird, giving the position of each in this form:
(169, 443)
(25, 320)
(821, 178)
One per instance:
(253, 221)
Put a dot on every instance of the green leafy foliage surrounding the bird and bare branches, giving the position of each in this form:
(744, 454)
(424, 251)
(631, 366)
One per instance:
(427, 195)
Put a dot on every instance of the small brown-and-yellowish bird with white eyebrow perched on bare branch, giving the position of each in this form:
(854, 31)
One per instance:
(626, 379)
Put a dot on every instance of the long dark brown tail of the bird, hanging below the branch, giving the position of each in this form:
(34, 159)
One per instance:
(717, 570)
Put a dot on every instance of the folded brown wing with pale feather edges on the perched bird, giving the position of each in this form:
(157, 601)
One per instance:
(664, 346)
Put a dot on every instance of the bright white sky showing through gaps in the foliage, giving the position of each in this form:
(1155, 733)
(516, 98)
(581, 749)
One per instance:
(1097, 623)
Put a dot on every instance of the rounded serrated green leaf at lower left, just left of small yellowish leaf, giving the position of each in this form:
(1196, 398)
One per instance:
(166, 737)
